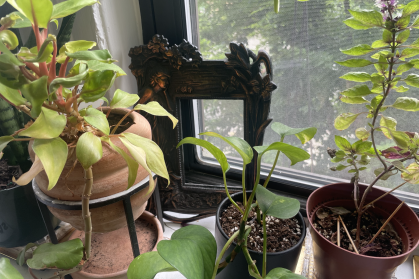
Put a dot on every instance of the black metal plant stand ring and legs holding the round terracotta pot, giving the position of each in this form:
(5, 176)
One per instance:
(44, 201)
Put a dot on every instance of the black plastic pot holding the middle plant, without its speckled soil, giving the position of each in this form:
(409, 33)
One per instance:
(238, 268)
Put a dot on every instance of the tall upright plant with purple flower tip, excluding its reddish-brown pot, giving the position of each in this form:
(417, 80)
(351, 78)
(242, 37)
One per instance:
(391, 58)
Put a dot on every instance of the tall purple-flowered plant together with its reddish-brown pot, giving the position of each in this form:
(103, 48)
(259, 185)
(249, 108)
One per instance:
(360, 231)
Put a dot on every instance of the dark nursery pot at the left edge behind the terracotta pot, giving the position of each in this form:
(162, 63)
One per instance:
(20, 219)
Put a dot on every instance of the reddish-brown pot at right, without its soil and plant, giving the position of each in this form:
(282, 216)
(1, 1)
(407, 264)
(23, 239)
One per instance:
(333, 262)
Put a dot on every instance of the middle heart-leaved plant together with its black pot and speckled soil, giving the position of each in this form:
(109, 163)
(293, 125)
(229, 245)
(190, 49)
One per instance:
(192, 250)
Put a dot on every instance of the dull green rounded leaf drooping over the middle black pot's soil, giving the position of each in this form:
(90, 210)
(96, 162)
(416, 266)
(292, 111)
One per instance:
(276, 206)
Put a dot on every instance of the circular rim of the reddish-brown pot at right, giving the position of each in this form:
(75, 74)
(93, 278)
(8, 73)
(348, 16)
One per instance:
(353, 253)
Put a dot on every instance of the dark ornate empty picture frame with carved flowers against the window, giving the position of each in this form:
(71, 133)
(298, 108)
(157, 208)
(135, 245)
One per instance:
(175, 75)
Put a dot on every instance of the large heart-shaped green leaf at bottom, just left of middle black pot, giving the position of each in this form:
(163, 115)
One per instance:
(197, 247)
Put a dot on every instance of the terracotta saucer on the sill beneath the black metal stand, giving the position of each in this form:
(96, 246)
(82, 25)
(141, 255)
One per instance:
(117, 249)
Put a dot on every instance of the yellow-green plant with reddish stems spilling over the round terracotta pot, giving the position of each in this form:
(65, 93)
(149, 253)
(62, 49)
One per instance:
(59, 129)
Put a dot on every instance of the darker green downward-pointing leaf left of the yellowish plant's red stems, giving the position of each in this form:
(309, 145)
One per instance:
(36, 92)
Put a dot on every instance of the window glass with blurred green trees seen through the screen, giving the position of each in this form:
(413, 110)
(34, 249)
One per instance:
(303, 41)
